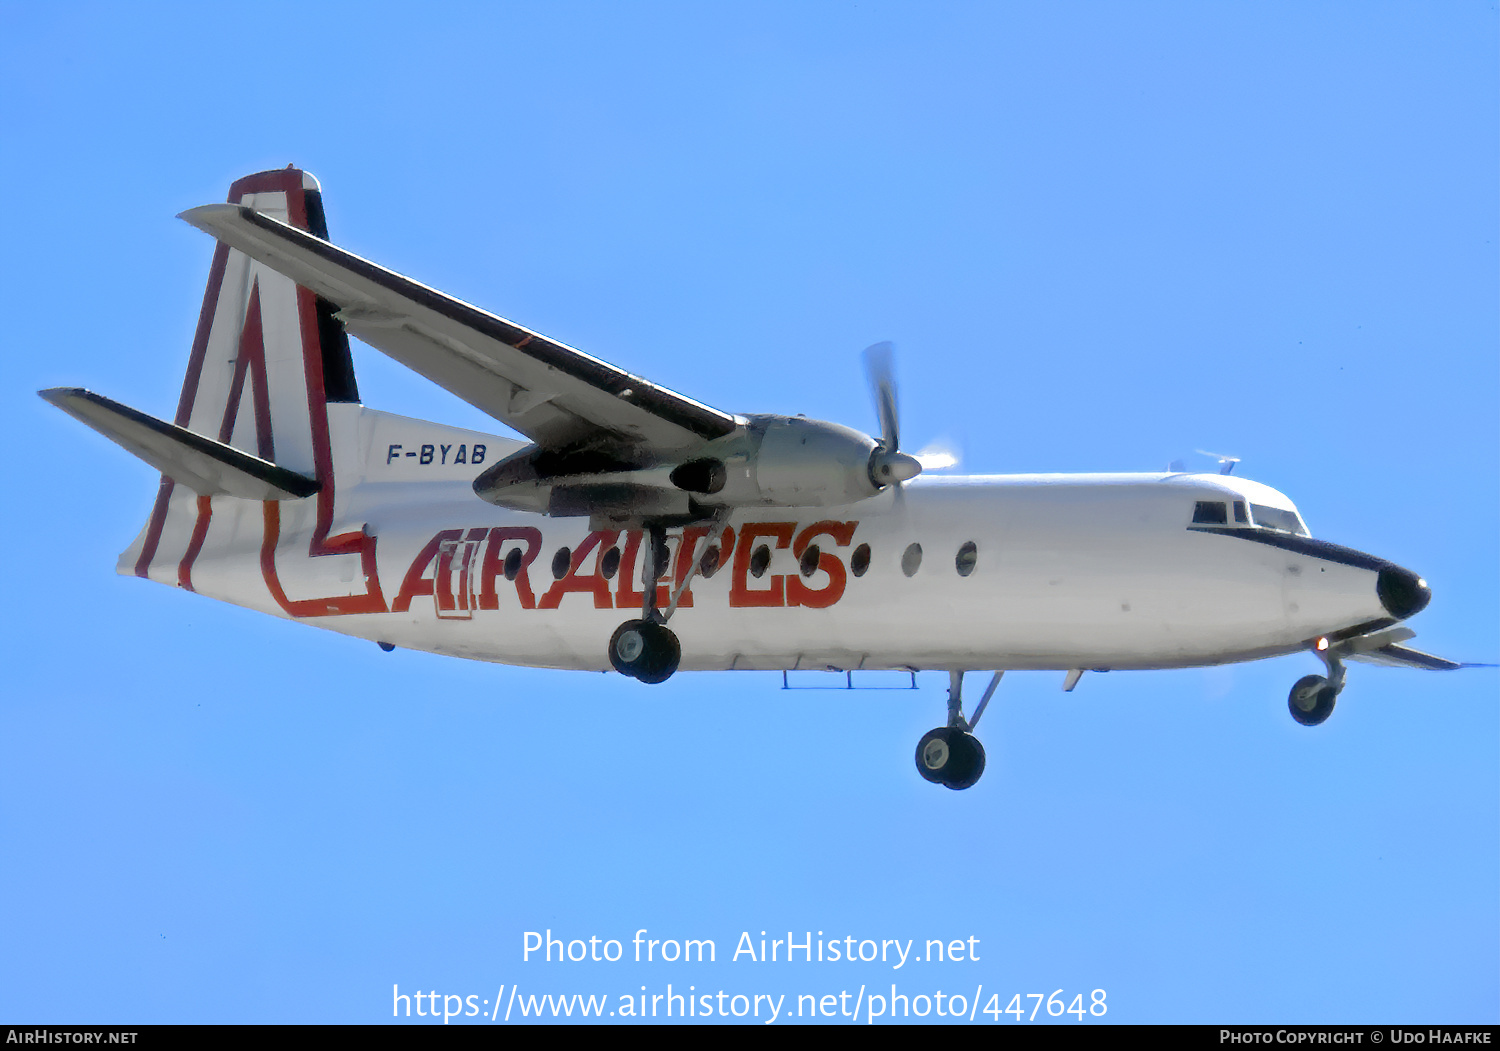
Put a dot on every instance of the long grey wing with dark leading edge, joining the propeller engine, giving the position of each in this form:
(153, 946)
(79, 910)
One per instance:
(557, 397)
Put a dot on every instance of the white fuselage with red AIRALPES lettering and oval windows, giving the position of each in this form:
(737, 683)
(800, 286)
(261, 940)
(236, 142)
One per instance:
(1069, 572)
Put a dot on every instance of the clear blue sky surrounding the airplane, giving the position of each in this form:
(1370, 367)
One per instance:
(1102, 236)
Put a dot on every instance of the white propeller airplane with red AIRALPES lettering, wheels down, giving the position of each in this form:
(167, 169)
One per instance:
(638, 530)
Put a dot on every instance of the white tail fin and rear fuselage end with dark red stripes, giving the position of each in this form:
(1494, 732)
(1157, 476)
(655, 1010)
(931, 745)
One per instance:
(269, 361)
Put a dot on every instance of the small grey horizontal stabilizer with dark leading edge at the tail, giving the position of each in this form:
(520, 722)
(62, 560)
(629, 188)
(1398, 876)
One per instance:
(208, 467)
